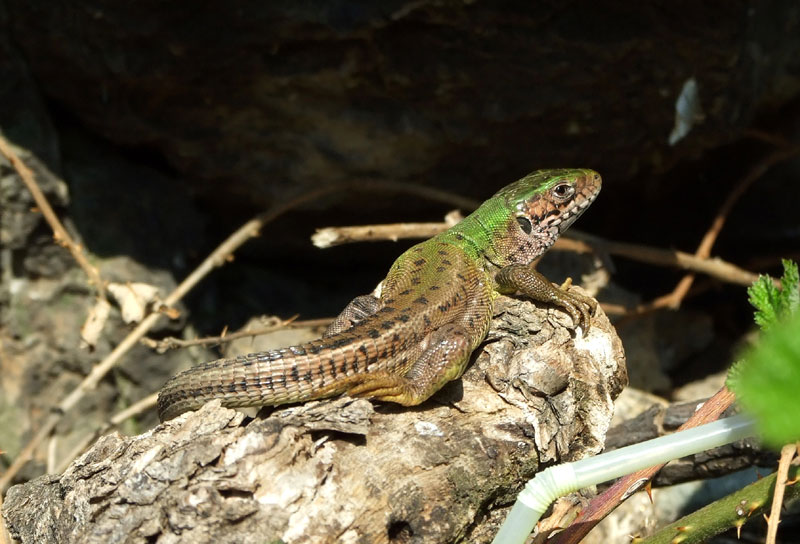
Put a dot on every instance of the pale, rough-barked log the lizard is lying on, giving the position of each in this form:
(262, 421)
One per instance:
(347, 470)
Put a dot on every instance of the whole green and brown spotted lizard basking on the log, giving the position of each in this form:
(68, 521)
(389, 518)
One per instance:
(434, 309)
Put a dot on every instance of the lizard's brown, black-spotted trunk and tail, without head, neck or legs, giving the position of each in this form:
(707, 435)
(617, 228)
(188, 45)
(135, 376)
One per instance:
(432, 283)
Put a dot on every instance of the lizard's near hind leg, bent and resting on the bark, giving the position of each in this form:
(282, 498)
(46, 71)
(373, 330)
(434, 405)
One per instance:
(443, 359)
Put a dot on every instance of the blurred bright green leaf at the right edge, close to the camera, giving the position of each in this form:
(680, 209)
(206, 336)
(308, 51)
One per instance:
(767, 382)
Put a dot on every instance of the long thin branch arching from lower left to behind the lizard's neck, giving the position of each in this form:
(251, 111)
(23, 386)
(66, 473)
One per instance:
(218, 257)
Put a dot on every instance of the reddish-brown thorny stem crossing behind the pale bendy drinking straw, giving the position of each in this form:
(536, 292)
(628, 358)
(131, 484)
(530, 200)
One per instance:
(604, 503)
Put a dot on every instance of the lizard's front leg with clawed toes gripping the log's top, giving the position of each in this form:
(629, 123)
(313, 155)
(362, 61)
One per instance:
(532, 284)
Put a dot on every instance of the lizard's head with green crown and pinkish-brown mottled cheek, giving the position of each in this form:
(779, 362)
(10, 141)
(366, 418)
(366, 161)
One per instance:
(544, 204)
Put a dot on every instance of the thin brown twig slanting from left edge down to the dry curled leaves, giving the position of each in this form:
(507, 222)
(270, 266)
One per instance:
(60, 234)
